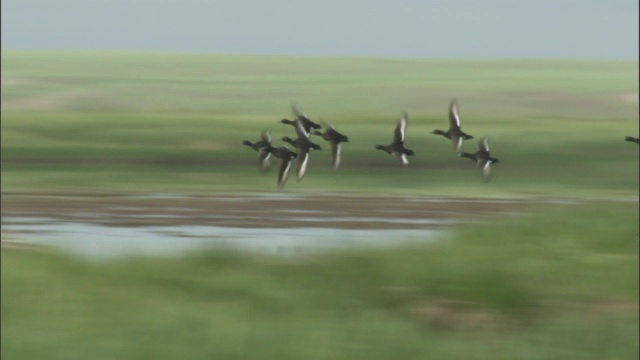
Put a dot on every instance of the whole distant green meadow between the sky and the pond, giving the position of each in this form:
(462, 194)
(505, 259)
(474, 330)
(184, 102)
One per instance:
(159, 122)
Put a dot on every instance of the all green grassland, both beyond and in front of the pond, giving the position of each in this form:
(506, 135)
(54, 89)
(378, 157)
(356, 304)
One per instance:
(558, 283)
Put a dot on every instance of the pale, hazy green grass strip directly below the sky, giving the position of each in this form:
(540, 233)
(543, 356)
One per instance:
(181, 83)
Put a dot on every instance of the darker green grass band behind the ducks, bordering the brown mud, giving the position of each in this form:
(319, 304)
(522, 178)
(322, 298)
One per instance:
(202, 153)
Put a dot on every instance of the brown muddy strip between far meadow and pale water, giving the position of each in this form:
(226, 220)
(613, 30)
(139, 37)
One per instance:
(252, 210)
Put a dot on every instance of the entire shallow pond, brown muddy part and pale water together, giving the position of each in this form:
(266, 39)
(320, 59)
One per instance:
(112, 225)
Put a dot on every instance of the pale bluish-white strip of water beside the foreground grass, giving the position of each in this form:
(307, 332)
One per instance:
(100, 241)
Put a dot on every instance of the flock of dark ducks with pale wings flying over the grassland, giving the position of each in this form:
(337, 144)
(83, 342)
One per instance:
(304, 127)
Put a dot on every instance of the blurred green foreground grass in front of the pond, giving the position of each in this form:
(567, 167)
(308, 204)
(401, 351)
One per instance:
(561, 283)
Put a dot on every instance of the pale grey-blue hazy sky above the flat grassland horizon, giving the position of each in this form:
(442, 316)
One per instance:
(481, 29)
